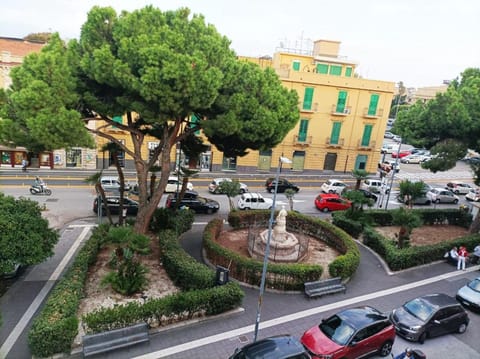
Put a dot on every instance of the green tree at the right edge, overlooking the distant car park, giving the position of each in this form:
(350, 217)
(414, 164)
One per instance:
(448, 124)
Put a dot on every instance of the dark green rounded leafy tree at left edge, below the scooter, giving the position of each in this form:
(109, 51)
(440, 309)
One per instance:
(24, 234)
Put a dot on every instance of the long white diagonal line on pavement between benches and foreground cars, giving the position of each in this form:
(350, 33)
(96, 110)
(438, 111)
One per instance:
(295, 316)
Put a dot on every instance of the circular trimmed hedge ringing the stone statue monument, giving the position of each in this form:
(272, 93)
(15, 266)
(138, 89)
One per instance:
(281, 276)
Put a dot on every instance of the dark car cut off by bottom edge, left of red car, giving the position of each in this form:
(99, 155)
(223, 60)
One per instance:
(277, 347)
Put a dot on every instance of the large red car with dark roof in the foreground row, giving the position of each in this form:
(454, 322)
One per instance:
(351, 333)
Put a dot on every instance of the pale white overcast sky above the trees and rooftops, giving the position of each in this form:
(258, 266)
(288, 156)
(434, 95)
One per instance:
(419, 42)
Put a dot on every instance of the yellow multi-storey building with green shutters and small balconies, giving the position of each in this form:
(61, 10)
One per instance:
(342, 120)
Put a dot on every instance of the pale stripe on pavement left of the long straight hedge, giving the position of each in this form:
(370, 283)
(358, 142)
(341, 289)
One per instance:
(20, 327)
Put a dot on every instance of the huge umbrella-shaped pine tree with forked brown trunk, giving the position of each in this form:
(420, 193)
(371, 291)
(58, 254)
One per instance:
(159, 69)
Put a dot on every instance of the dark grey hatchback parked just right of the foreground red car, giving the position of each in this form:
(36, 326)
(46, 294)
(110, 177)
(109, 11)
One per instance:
(429, 316)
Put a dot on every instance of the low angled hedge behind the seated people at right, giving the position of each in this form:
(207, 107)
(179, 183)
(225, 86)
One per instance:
(398, 259)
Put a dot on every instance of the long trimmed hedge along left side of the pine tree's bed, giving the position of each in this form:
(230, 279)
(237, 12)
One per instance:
(55, 328)
